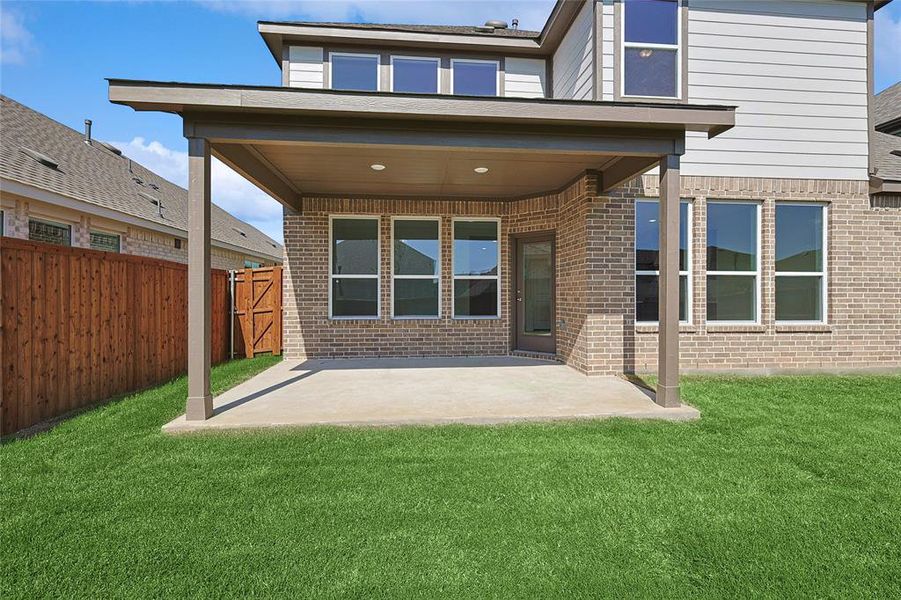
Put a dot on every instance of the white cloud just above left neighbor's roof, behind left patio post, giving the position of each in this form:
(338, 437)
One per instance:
(230, 191)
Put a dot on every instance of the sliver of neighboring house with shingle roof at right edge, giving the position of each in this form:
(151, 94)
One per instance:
(885, 149)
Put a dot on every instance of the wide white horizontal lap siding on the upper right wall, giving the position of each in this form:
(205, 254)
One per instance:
(797, 71)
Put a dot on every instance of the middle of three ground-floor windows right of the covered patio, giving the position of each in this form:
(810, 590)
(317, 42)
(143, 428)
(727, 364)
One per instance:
(733, 262)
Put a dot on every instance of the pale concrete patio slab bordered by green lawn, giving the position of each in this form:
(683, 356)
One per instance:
(483, 390)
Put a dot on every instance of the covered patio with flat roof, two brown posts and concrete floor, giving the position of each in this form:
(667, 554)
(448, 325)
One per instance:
(306, 147)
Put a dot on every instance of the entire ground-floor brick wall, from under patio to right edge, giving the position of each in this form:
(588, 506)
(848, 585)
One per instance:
(595, 259)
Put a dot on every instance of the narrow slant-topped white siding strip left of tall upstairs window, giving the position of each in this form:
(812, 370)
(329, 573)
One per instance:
(573, 60)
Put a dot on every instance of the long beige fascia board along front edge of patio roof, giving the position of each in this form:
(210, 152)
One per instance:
(186, 98)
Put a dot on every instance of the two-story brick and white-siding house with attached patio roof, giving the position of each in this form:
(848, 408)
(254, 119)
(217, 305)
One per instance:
(525, 165)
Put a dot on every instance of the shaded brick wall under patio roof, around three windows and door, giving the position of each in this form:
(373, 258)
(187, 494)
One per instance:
(309, 333)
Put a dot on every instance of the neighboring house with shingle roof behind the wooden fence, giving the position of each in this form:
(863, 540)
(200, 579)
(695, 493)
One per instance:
(61, 187)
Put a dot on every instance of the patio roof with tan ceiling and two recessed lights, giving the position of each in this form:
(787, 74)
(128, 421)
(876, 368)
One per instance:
(297, 142)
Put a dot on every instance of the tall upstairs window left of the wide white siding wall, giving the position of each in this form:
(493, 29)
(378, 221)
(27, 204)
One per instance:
(651, 64)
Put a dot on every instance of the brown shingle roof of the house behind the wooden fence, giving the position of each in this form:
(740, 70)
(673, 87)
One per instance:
(94, 174)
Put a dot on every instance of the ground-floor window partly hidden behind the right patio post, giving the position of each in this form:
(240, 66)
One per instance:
(647, 260)
